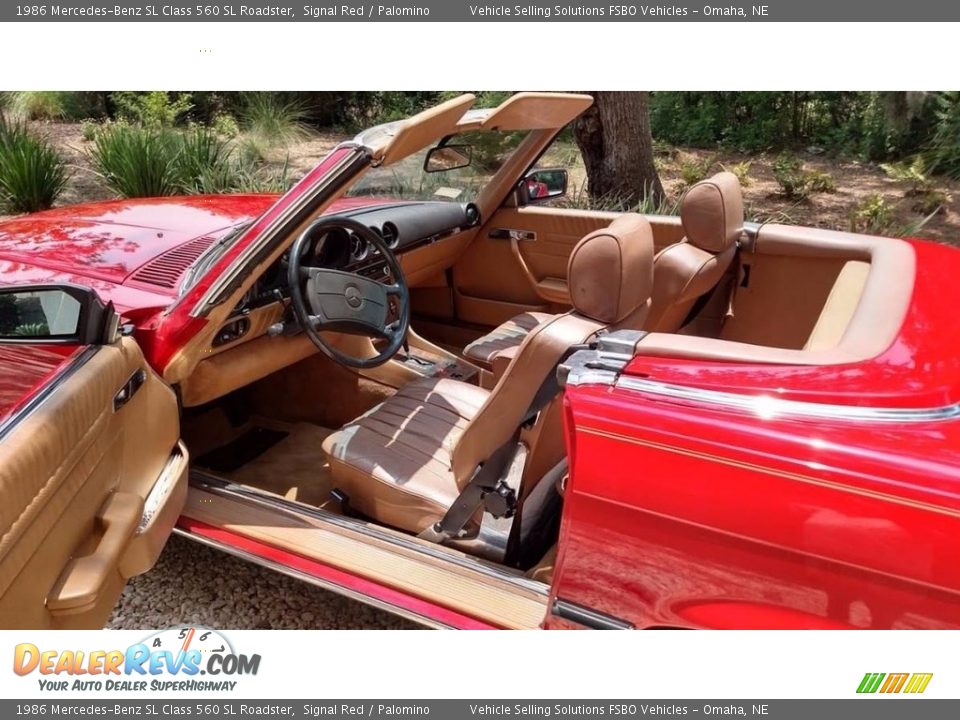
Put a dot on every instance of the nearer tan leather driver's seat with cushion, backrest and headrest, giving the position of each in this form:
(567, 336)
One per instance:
(406, 461)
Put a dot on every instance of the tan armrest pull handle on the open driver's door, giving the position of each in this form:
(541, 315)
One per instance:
(84, 578)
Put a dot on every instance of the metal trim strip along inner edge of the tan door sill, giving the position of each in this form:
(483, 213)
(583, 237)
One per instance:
(219, 486)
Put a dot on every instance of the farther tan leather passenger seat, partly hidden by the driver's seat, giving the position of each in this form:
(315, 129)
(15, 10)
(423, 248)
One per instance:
(712, 217)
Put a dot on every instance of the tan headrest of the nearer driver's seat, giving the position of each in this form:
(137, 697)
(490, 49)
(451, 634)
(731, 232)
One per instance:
(611, 270)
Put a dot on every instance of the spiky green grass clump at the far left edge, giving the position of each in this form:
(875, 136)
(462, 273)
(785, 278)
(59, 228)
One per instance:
(32, 173)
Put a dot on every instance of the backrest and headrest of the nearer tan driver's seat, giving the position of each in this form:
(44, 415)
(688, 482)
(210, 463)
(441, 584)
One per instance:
(610, 275)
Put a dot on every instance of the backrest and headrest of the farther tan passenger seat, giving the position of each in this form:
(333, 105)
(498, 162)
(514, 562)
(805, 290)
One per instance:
(712, 218)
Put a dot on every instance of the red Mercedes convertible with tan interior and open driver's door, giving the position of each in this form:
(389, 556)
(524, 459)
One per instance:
(414, 382)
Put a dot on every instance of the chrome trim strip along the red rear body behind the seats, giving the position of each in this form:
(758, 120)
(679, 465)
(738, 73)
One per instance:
(767, 406)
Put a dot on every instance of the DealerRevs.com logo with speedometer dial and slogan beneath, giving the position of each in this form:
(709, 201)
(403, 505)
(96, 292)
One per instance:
(178, 659)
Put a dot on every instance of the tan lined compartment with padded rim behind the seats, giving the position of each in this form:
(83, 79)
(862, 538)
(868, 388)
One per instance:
(859, 282)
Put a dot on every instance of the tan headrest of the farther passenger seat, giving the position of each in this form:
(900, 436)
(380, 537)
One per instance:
(712, 212)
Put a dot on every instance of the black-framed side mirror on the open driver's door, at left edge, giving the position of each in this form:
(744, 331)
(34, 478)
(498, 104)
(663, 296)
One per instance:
(69, 314)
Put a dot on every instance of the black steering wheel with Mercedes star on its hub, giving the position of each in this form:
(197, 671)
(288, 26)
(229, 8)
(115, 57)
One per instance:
(337, 300)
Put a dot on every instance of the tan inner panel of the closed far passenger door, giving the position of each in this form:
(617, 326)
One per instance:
(518, 261)
